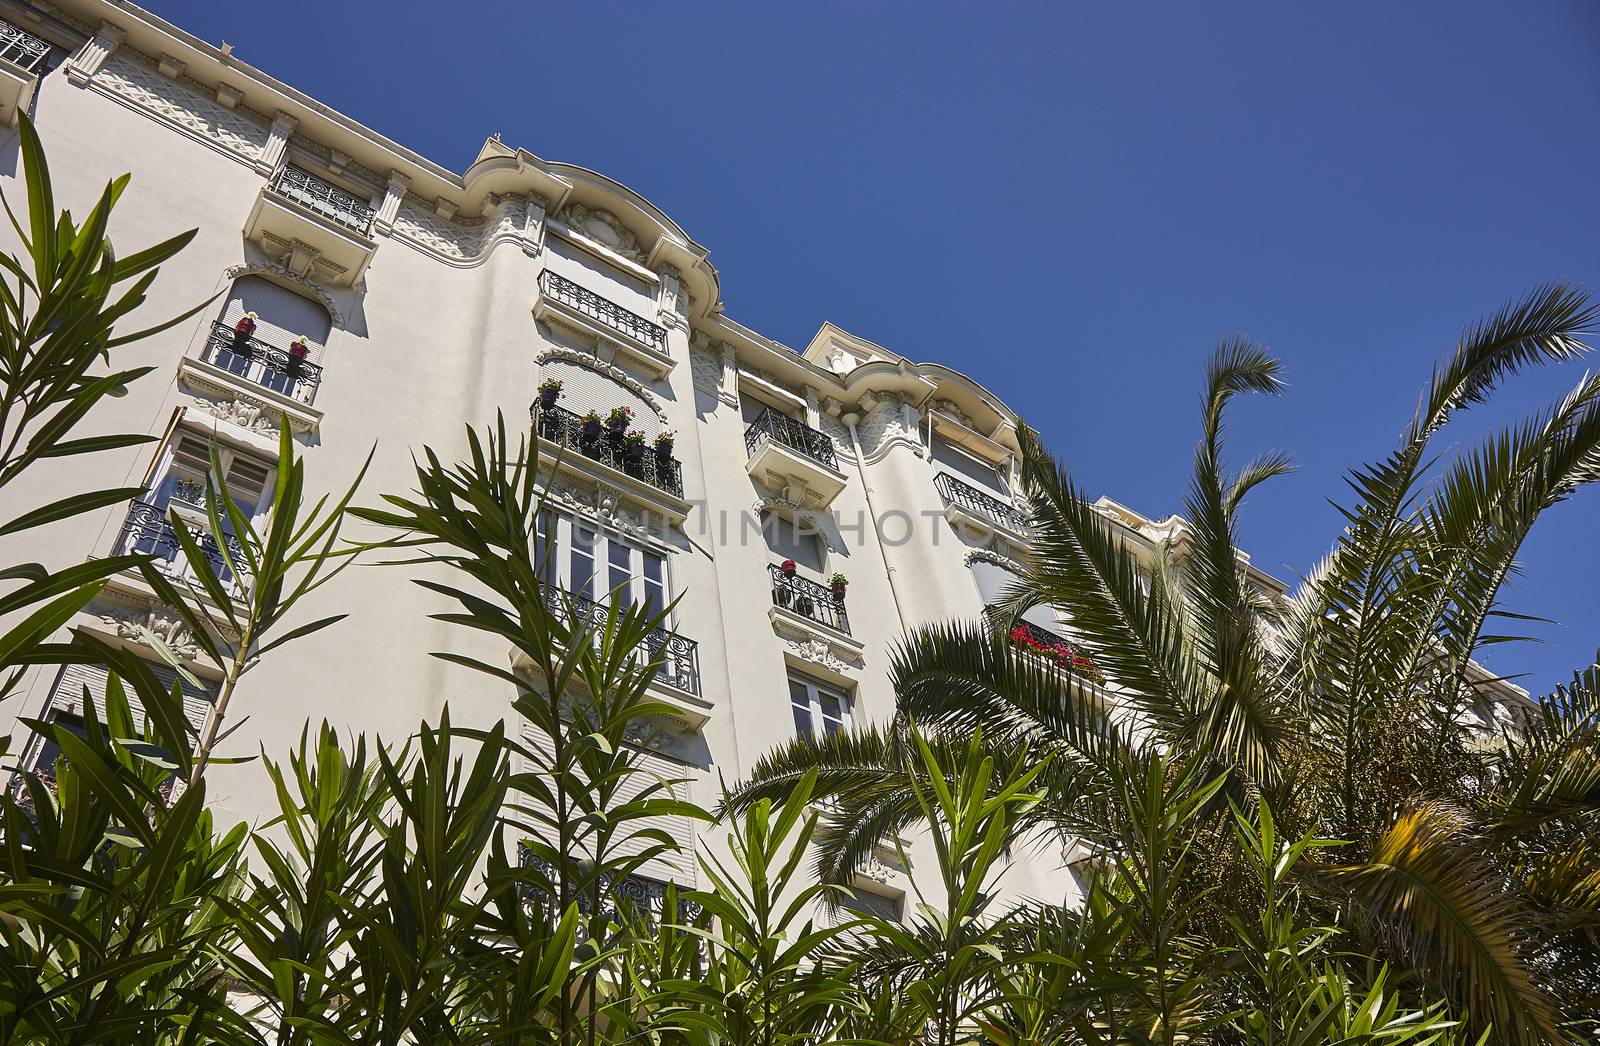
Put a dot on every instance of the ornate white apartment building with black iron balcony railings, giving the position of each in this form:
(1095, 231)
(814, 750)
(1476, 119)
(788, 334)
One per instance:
(430, 300)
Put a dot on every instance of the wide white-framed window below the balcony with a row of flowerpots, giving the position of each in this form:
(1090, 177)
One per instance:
(577, 557)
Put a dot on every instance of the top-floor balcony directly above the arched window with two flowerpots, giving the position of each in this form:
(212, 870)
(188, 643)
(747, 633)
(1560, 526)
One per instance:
(314, 226)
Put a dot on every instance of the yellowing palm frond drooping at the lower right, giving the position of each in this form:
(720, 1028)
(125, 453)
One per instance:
(1442, 906)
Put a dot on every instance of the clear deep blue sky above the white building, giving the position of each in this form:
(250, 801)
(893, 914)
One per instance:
(1070, 202)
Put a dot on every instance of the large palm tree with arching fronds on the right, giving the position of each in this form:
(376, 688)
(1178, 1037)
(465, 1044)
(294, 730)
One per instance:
(1468, 863)
